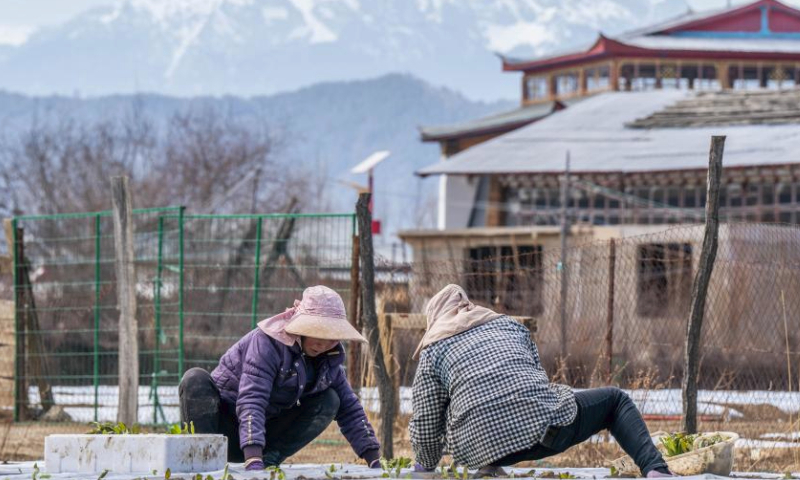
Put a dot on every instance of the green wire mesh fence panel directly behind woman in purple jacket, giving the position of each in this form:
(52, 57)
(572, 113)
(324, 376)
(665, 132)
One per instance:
(227, 291)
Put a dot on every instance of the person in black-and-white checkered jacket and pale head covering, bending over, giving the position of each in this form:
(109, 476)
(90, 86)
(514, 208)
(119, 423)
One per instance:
(480, 392)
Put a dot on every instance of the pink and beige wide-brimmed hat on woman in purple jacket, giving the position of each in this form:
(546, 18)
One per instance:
(321, 314)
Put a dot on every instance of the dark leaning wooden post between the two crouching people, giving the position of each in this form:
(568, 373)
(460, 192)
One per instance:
(370, 319)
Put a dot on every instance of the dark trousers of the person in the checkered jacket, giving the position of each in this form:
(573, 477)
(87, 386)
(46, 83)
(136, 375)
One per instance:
(598, 409)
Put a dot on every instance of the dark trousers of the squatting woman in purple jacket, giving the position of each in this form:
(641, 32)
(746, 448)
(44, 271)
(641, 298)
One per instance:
(286, 433)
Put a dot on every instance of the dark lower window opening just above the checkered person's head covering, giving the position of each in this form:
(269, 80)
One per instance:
(505, 278)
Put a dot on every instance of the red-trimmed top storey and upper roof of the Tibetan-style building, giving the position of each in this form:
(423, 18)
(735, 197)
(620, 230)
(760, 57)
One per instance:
(750, 47)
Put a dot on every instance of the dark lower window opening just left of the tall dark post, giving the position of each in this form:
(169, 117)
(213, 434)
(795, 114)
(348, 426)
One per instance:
(665, 279)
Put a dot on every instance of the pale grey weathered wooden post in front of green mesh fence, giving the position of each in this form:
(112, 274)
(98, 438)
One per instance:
(126, 292)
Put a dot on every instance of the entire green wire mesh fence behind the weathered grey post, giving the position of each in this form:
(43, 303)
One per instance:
(203, 281)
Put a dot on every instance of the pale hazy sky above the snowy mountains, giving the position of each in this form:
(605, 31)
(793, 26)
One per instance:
(18, 18)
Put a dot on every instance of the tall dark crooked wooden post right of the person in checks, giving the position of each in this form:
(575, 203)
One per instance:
(700, 286)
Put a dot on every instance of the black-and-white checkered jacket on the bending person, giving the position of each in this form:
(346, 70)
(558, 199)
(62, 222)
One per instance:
(483, 394)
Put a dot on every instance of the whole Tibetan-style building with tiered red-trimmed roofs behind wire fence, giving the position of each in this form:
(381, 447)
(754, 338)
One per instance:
(635, 115)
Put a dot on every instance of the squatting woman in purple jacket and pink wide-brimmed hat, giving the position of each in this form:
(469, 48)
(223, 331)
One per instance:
(281, 385)
